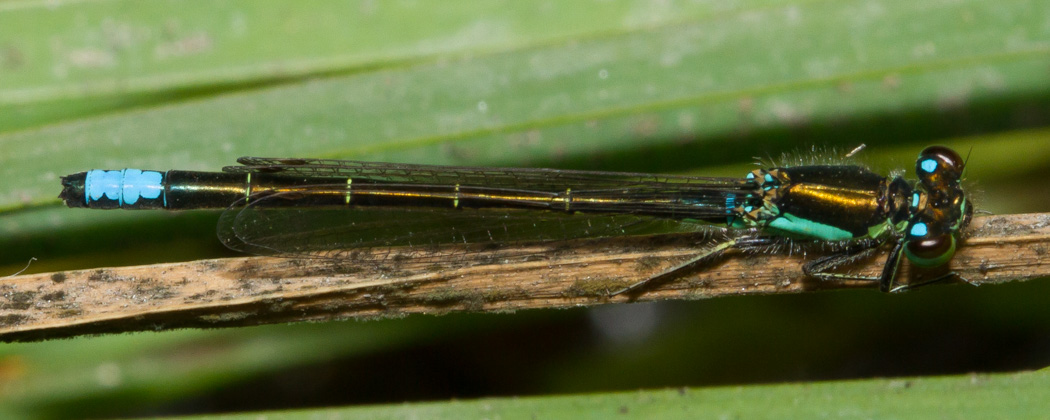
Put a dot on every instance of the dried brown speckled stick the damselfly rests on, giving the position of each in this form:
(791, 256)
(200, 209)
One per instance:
(249, 291)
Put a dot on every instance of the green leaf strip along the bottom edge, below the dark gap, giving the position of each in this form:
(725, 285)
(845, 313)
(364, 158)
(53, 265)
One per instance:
(959, 397)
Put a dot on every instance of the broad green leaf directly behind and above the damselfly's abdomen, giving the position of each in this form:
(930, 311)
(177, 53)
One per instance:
(700, 81)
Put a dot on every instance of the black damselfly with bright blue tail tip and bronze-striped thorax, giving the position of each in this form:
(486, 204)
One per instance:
(334, 209)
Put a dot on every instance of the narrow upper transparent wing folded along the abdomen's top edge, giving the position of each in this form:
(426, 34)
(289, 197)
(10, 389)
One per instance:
(545, 180)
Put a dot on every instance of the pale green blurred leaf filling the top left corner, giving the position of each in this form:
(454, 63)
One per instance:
(71, 59)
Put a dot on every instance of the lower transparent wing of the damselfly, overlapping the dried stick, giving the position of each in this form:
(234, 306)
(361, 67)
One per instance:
(272, 225)
